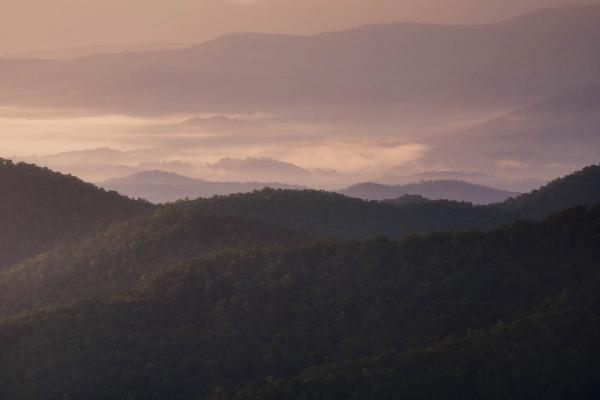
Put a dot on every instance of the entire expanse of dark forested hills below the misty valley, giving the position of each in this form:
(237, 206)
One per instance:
(281, 294)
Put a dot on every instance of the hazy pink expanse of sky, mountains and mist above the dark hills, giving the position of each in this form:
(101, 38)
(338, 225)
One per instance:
(313, 111)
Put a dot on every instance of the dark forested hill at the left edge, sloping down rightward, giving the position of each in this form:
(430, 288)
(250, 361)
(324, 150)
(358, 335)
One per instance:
(39, 207)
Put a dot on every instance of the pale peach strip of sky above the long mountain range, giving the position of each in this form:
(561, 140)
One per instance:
(51, 27)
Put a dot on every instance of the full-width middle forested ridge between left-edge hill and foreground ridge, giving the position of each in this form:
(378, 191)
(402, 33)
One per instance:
(124, 256)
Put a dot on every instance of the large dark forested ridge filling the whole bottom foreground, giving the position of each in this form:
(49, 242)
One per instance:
(513, 313)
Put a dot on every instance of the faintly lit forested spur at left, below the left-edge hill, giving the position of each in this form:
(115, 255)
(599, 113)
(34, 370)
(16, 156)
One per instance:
(121, 257)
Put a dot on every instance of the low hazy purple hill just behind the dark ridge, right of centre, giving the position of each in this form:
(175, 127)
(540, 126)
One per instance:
(433, 190)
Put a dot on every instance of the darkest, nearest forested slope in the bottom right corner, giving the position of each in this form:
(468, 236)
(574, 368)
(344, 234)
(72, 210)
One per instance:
(550, 355)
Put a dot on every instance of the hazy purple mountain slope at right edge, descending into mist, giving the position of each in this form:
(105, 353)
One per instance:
(563, 130)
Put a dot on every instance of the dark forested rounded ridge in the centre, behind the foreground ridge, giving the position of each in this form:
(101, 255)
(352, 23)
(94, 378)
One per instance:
(327, 213)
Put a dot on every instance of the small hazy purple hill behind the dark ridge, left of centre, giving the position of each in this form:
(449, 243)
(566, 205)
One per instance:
(163, 187)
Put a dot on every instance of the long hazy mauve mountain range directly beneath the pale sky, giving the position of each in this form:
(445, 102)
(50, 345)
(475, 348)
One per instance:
(402, 65)
